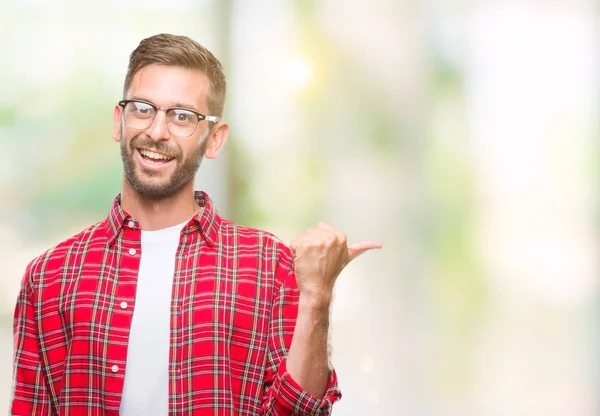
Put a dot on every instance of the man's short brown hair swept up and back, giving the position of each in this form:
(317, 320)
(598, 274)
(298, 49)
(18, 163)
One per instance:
(167, 49)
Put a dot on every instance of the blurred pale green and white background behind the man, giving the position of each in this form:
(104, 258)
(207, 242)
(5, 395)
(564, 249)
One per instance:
(461, 134)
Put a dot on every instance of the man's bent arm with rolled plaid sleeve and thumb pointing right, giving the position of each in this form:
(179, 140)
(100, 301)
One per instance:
(304, 383)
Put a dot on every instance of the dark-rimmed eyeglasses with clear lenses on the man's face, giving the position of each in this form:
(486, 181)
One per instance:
(139, 115)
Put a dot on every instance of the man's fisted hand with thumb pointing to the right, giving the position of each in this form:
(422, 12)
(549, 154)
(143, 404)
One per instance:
(320, 254)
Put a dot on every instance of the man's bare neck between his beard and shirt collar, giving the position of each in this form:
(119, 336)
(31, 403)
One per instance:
(158, 213)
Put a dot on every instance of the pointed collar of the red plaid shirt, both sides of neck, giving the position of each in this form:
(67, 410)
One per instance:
(207, 221)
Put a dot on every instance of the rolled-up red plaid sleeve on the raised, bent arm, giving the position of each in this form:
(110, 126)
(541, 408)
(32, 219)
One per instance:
(283, 395)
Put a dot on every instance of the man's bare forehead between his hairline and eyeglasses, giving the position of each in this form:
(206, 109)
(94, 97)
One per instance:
(169, 86)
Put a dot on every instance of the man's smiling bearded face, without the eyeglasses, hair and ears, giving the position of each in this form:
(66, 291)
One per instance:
(157, 163)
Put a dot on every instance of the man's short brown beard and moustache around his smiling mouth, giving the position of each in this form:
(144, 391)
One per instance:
(159, 185)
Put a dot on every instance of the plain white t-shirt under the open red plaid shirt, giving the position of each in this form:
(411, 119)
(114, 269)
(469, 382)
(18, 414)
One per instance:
(146, 388)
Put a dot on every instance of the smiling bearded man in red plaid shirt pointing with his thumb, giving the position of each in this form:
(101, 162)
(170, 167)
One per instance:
(165, 307)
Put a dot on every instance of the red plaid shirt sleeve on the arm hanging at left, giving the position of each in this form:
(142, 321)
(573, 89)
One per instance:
(29, 392)
